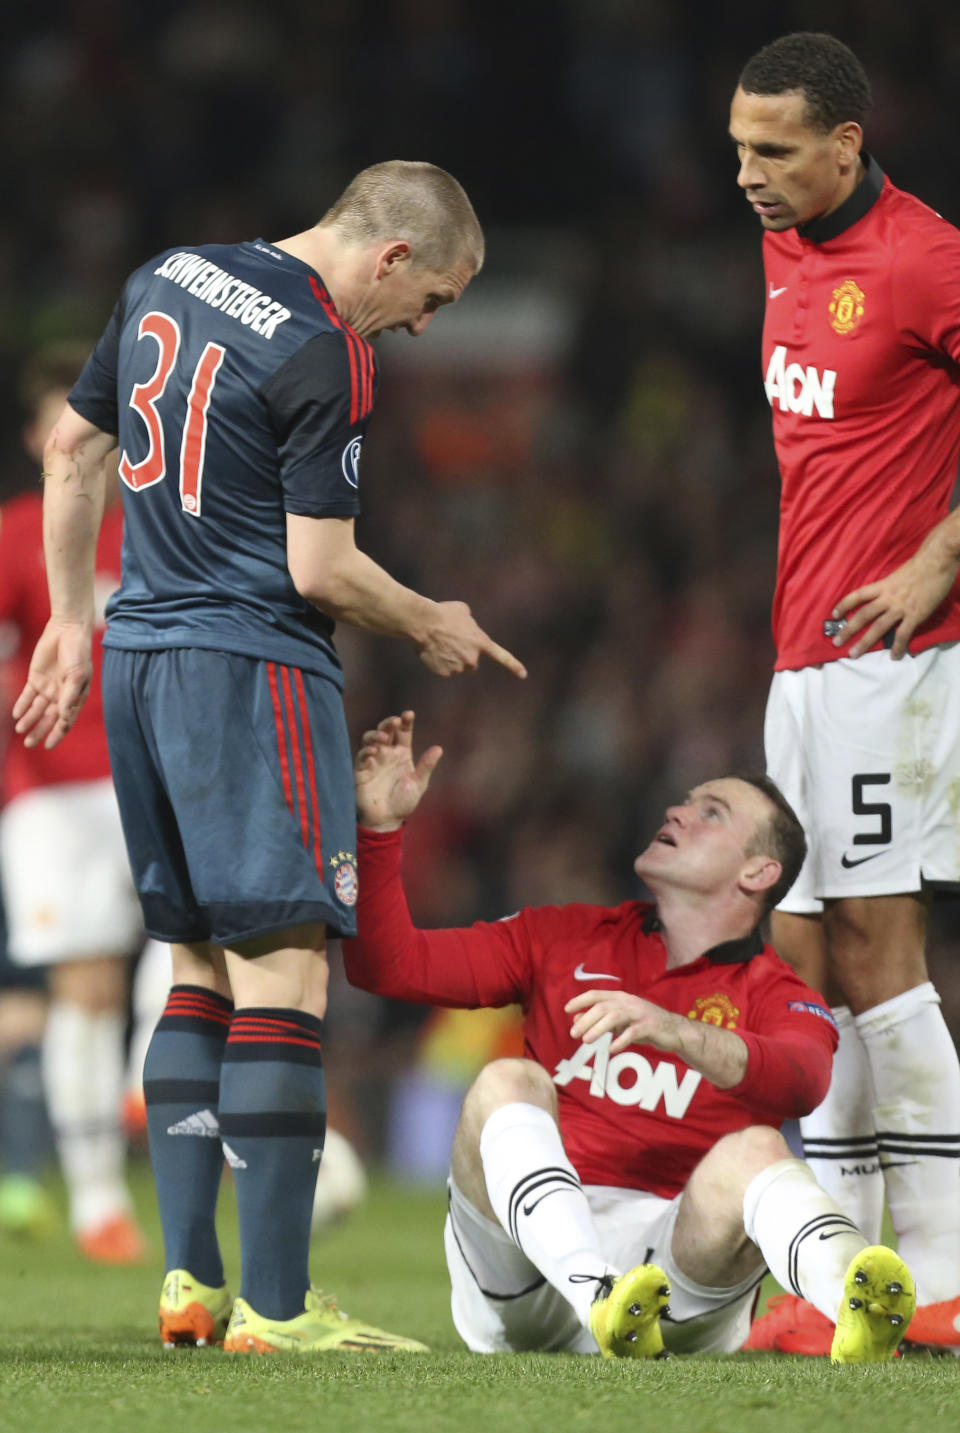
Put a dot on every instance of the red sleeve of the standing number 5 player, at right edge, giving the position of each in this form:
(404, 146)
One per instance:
(926, 292)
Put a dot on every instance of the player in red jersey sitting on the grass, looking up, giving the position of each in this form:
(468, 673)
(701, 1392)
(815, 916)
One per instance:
(664, 1047)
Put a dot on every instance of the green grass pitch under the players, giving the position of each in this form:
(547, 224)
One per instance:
(80, 1353)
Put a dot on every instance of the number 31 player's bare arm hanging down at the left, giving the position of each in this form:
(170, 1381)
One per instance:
(75, 466)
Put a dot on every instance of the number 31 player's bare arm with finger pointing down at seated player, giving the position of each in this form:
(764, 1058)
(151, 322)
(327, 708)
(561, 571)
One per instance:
(332, 572)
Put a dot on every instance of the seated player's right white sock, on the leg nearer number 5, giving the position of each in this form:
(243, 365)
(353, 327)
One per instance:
(802, 1233)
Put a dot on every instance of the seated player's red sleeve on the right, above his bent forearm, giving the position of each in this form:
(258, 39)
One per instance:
(790, 1054)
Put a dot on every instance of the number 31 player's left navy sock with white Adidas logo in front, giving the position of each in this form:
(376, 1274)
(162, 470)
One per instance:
(181, 1087)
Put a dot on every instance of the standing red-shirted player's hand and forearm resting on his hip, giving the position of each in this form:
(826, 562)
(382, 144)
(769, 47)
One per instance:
(906, 597)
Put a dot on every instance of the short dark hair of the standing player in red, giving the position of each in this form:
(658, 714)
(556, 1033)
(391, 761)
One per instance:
(829, 74)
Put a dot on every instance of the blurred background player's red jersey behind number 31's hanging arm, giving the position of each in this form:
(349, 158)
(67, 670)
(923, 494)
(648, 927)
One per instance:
(25, 608)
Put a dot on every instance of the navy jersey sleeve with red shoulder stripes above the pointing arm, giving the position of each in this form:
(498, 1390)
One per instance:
(320, 405)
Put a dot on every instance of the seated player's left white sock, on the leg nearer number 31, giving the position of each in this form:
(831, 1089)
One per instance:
(538, 1199)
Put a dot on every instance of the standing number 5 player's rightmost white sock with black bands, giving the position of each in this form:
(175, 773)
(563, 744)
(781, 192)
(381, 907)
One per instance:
(916, 1075)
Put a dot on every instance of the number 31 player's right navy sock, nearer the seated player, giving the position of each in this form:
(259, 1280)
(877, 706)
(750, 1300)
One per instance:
(273, 1118)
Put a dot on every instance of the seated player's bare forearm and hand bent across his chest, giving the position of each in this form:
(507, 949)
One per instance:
(720, 1055)
